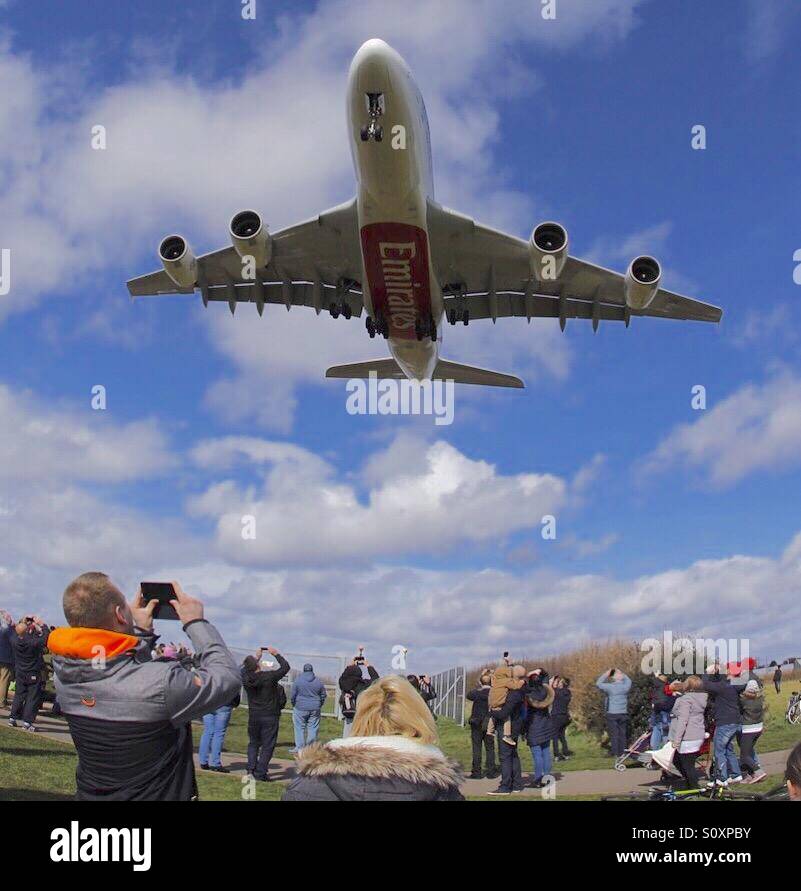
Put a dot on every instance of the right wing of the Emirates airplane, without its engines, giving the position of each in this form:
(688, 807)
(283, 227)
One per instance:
(488, 273)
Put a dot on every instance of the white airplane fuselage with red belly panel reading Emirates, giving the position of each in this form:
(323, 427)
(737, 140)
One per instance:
(395, 179)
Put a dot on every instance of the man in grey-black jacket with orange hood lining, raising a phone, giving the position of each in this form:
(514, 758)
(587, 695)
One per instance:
(130, 715)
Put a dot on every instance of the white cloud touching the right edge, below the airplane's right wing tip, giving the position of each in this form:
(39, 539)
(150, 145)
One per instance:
(756, 429)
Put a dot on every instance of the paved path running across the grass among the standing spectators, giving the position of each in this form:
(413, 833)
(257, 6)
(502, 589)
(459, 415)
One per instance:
(570, 783)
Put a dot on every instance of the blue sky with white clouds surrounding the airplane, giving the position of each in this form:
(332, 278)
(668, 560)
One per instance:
(387, 531)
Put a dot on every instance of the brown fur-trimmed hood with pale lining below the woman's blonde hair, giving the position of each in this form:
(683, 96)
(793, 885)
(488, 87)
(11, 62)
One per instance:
(380, 758)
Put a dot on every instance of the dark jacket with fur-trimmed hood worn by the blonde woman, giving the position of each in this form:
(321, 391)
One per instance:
(373, 773)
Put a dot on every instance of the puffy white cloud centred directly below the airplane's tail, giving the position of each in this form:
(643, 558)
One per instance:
(434, 500)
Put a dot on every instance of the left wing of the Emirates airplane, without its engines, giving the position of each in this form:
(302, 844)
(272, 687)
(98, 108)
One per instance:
(313, 264)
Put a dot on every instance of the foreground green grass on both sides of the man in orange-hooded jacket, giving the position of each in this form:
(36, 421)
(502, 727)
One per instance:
(34, 768)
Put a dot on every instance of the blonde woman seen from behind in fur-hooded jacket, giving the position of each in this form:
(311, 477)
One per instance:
(391, 754)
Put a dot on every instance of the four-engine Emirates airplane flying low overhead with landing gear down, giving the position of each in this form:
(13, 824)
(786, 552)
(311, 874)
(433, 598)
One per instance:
(406, 262)
